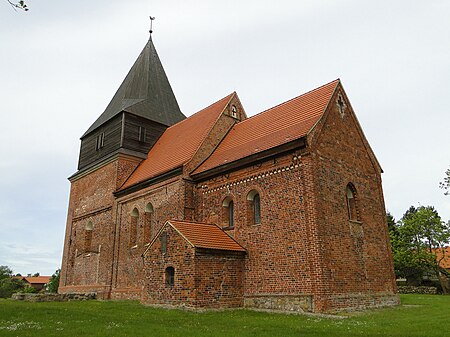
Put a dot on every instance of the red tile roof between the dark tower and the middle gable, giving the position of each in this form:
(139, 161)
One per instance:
(178, 143)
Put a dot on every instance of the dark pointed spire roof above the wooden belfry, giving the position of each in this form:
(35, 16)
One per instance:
(145, 92)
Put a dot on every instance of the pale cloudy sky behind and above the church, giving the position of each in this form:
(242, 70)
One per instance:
(62, 61)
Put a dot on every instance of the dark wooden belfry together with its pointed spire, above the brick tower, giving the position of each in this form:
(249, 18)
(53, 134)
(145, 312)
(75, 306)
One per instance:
(142, 108)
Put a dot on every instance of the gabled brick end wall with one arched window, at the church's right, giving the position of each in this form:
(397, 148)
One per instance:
(355, 255)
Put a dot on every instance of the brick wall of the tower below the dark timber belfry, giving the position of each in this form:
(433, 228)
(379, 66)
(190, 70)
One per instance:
(92, 203)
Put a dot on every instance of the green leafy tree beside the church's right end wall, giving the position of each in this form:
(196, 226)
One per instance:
(413, 239)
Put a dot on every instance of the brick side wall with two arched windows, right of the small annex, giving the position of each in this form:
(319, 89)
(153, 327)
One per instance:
(280, 249)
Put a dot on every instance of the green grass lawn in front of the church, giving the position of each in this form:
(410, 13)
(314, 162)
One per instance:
(419, 315)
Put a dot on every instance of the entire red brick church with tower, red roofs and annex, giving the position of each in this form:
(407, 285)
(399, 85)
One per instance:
(282, 210)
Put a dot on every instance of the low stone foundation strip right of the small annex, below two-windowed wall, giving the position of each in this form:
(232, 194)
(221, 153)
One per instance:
(302, 303)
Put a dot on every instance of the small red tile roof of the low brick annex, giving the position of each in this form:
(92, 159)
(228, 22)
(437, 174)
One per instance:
(203, 235)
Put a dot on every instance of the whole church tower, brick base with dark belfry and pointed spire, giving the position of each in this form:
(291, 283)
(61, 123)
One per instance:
(141, 110)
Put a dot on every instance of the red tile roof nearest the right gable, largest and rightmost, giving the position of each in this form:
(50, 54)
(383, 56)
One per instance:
(281, 124)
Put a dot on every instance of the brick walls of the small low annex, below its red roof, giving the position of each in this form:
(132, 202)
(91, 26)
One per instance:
(211, 279)
